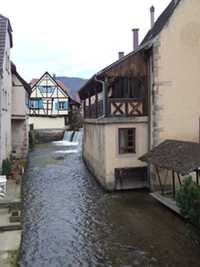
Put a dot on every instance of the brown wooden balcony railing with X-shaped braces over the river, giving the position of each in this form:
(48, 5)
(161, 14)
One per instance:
(116, 107)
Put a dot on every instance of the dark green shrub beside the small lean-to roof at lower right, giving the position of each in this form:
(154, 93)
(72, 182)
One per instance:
(188, 201)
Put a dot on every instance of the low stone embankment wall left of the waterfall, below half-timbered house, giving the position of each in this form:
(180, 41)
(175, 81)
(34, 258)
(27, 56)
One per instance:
(44, 136)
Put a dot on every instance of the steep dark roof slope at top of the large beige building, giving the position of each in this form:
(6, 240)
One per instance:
(161, 21)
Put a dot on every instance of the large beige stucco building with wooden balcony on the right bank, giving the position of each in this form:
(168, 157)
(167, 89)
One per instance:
(153, 91)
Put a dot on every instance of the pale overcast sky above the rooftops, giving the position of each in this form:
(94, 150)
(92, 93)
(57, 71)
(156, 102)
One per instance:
(74, 38)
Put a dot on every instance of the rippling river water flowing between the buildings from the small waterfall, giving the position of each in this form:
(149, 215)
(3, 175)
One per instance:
(69, 220)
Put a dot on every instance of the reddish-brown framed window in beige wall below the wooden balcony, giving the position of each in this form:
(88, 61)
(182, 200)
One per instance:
(126, 140)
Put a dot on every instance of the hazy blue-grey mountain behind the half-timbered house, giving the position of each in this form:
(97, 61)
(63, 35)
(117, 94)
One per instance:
(74, 84)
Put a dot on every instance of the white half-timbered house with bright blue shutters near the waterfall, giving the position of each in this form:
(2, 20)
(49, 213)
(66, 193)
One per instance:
(49, 104)
